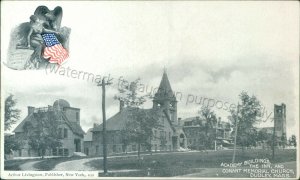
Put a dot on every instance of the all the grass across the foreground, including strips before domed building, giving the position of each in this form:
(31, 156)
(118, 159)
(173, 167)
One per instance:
(165, 165)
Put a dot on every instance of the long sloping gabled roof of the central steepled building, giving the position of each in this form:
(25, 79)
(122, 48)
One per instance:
(119, 120)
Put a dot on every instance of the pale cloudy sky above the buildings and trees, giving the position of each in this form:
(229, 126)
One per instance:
(210, 49)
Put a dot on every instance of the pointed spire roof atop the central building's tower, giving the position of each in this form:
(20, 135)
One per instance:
(164, 91)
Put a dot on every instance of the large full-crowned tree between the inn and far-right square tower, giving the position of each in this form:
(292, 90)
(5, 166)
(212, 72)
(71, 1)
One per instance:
(249, 115)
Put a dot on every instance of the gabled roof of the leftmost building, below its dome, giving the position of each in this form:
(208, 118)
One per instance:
(75, 128)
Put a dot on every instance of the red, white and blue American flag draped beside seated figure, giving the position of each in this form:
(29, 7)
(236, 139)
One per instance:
(54, 50)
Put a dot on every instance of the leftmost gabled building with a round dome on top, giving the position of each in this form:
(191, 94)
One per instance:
(69, 131)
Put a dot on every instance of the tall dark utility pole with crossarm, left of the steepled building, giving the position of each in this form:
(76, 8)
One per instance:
(103, 84)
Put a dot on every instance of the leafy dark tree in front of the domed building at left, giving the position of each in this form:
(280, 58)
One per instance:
(45, 134)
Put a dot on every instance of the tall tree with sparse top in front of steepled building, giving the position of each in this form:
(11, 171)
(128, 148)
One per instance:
(139, 127)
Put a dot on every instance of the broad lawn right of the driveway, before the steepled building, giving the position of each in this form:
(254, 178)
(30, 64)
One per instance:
(176, 164)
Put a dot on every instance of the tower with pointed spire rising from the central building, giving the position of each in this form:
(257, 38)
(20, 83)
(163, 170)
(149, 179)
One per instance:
(165, 99)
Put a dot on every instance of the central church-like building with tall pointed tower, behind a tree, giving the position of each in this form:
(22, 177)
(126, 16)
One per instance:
(169, 137)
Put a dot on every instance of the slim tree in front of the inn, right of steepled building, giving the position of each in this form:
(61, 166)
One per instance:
(210, 122)
